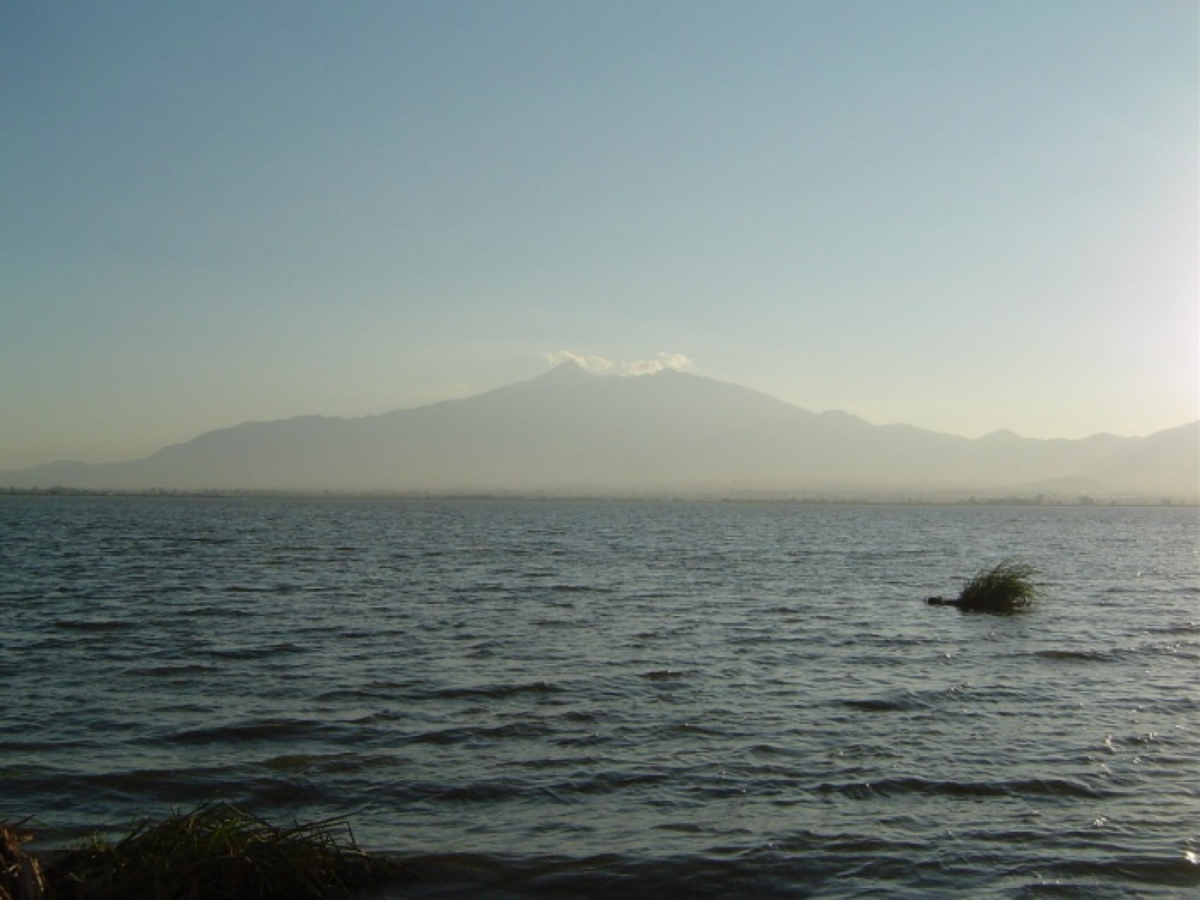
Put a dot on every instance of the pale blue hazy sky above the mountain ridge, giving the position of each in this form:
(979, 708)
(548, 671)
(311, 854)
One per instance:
(962, 215)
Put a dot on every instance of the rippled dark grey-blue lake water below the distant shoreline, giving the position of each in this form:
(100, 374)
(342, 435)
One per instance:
(620, 699)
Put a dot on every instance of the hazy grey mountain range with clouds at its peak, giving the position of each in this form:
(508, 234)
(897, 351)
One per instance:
(569, 431)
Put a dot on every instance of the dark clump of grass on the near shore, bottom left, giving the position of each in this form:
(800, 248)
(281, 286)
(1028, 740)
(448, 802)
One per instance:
(219, 853)
